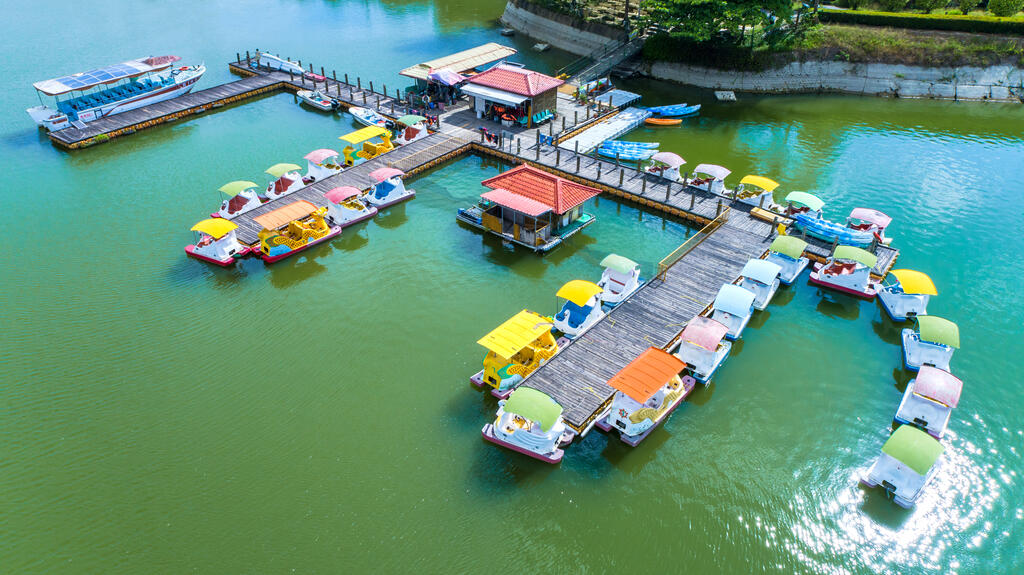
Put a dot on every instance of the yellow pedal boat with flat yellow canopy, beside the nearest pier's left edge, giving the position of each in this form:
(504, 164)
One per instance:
(516, 349)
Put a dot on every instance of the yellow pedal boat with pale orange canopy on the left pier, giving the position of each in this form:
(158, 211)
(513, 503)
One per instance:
(293, 229)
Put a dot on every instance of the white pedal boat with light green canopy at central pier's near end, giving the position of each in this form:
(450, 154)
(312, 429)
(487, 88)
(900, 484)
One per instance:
(531, 423)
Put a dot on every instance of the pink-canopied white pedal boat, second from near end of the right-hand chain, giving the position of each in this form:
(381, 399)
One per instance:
(929, 401)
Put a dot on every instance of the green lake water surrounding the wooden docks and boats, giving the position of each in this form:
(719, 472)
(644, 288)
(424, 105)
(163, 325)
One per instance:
(158, 415)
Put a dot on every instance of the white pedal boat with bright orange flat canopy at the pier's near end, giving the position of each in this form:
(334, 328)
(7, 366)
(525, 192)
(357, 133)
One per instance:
(648, 390)
